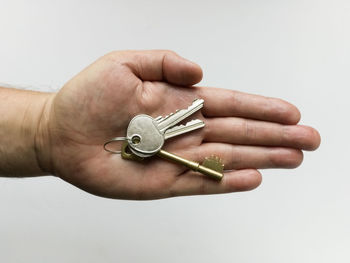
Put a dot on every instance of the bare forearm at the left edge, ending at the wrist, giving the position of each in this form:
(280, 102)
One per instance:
(21, 141)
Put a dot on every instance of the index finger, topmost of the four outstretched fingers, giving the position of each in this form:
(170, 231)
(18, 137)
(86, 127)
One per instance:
(229, 103)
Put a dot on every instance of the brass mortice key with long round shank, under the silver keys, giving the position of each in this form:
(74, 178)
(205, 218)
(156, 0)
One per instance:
(211, 167)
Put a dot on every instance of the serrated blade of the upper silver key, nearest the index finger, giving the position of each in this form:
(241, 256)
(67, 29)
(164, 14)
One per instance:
(174, 118)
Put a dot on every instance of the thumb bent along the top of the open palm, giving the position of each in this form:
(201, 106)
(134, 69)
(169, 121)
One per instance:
(161, 65)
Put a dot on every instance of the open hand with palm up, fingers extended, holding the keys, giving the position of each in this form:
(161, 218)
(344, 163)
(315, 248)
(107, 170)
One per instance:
(248, 132)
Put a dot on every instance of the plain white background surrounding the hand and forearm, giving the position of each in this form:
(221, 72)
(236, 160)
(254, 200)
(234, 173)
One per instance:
(294, 49)
